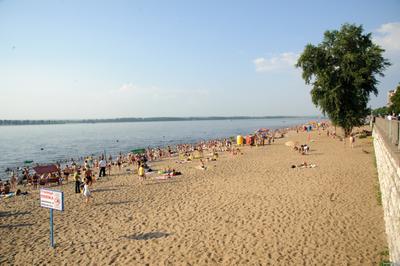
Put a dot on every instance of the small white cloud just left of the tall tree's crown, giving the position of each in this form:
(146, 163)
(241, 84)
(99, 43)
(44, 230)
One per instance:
(280, 62)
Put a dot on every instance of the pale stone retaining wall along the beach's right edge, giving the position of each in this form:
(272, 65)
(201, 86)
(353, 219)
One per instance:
(388, 164)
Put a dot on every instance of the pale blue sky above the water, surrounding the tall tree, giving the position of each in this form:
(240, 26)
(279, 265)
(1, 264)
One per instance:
(104, 59)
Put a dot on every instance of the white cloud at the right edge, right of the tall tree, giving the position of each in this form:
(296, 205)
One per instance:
(388, 36)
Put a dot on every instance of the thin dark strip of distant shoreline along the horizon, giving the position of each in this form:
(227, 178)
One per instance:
(137, 119)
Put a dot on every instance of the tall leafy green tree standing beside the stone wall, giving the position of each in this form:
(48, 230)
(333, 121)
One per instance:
(342, 70)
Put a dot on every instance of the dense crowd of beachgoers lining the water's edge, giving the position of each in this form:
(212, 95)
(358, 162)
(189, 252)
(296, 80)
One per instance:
(87, 170)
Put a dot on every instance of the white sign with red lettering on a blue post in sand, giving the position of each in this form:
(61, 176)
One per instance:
(53, 200)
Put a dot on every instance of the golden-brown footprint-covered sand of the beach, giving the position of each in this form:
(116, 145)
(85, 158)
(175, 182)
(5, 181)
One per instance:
(251, 209)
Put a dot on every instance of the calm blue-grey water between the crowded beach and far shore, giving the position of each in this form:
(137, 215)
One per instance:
(49, 143)
